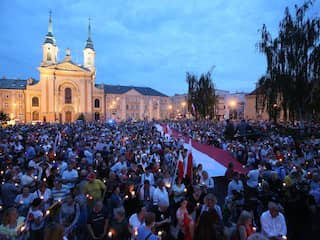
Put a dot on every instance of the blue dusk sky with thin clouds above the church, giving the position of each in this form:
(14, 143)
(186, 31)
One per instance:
(150, 43)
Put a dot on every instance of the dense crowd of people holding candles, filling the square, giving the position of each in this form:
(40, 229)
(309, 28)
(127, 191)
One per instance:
(120, 181)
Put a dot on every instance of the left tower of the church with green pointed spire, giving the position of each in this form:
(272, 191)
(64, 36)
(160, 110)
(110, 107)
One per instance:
(49, 47)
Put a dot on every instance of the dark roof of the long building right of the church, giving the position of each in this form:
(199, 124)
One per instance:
(117, 89)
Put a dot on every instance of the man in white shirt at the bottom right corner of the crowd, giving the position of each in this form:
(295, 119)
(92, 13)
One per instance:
(273, 223)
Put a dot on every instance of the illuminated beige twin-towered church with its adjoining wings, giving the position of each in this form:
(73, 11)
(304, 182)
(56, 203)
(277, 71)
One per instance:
(66, 89)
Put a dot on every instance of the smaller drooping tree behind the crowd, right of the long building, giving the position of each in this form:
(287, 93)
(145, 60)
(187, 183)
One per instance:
(201, 96)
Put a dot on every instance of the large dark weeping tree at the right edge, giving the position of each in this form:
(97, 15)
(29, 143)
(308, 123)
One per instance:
(292, 79)
